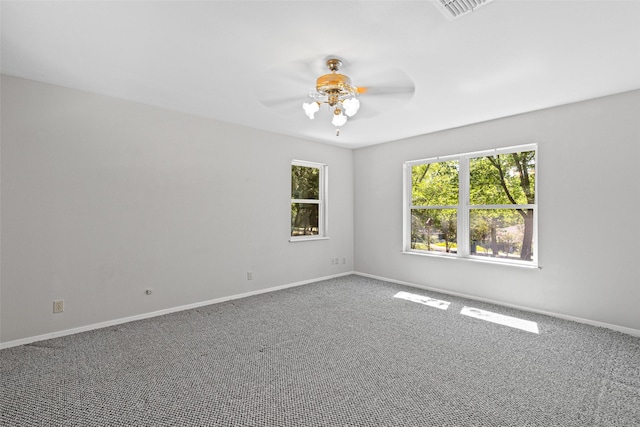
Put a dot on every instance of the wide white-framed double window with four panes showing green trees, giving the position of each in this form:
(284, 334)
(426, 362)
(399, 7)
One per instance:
(478, 205)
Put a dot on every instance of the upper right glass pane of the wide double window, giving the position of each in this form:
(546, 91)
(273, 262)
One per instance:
(502, 179)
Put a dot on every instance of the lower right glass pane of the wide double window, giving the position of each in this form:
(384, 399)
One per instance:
(502, 233)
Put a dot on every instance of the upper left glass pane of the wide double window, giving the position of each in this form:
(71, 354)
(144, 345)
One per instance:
(435, 184)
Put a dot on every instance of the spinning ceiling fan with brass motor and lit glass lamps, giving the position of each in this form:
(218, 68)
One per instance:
(389, 89)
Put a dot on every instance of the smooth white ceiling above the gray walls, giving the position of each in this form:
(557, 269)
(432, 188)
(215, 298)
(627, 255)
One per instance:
(221, 59)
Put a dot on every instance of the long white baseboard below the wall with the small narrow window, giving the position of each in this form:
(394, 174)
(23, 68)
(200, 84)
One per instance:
(56, 334)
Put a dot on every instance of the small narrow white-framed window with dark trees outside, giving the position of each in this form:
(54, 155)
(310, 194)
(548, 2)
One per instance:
(308, 200)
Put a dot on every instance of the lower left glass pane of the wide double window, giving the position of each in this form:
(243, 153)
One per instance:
(434, 230)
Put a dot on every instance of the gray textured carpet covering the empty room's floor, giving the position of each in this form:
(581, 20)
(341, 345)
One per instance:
(341, 352)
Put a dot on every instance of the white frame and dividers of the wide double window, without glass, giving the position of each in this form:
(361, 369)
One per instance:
(464, 207)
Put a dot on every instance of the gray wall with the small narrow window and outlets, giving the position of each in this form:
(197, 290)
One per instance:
(103, 198)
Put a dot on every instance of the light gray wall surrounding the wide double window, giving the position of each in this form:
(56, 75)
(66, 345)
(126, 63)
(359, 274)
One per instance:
(589, 232)
